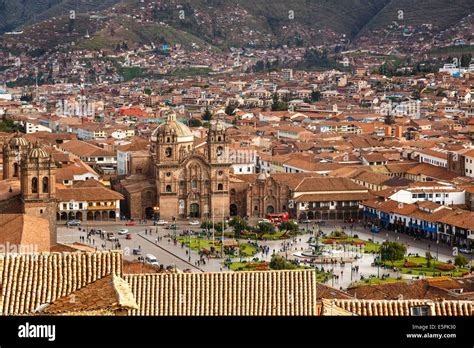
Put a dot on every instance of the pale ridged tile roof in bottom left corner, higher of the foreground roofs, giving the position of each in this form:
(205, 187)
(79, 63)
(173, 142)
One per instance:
(28, 281)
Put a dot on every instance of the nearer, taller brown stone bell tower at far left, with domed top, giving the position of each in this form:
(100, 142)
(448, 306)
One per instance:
(38, 190)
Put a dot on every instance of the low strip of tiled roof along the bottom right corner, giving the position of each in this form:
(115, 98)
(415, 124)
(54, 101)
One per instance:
(401, 307)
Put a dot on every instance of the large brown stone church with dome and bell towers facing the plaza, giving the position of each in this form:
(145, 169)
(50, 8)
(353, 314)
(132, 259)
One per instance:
(179, 178)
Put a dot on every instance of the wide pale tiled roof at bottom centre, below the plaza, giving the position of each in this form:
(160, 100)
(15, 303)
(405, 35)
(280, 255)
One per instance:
(222, 294)
